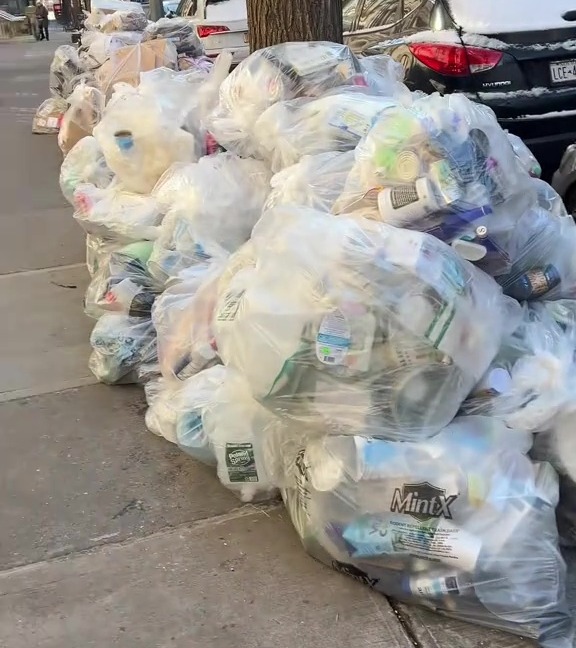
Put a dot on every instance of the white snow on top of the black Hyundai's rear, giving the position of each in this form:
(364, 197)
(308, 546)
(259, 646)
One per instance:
(500, 16)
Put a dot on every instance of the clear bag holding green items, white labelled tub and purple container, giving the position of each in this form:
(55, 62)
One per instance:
(444, 166)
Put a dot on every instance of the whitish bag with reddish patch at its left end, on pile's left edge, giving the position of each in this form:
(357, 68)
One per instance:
(115, 213)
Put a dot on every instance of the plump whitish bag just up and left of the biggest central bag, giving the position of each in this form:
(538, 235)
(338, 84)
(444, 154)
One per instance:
(220, 201)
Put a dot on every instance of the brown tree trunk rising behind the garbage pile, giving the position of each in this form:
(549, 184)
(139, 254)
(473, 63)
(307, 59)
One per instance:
(271, 22)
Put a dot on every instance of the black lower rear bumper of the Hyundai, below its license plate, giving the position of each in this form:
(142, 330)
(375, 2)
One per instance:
(546, 136)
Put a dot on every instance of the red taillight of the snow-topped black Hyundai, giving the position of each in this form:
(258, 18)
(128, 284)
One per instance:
(455, 60)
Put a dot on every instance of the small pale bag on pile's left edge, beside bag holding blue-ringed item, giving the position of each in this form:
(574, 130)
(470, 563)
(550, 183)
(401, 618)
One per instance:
(84, 164)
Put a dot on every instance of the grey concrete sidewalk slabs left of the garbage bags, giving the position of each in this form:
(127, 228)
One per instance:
(110, 536)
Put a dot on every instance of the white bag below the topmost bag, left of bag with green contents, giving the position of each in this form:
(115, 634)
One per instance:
(336, 121)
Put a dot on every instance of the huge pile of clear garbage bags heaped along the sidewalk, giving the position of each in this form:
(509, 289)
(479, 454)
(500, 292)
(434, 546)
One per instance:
(354, 296)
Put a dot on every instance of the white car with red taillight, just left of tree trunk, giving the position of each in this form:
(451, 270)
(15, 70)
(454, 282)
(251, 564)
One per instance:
(222, 25)
